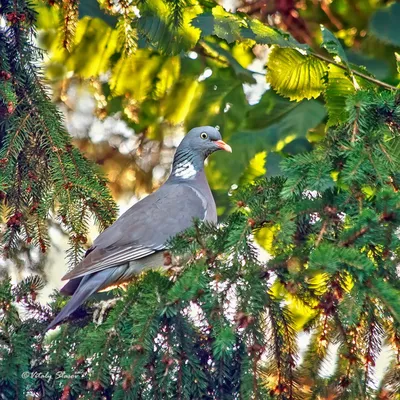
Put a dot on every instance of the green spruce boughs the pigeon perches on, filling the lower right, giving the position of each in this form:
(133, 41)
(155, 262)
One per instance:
(225, 326)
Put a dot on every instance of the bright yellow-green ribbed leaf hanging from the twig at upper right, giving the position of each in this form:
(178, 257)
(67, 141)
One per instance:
(295, 75)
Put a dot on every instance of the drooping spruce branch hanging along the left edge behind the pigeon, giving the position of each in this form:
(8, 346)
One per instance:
(40, 170)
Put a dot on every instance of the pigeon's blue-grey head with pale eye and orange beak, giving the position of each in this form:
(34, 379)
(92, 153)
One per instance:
(204, 140)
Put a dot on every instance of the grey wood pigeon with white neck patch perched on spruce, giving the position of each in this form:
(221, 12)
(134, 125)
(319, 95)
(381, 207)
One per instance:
(137, 239)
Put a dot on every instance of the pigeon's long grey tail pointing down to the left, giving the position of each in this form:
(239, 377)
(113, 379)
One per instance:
(88, 285)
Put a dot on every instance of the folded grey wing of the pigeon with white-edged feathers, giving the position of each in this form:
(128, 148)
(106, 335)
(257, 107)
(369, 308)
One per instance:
(144, 228)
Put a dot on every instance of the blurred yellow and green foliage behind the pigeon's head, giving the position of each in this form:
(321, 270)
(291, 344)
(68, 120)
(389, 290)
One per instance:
(128, 100)
